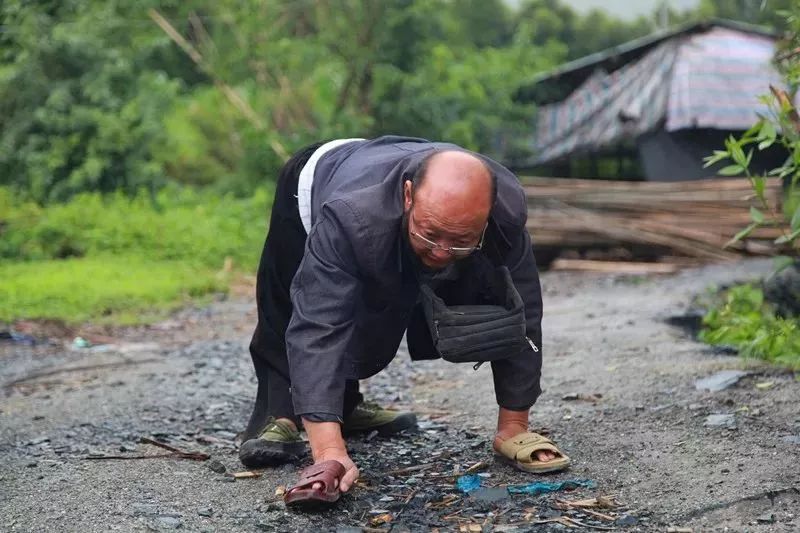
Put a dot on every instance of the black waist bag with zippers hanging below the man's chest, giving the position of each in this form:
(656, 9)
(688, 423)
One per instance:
(482, 332)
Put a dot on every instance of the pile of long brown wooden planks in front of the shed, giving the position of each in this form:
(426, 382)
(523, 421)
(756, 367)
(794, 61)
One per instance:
(687, 219)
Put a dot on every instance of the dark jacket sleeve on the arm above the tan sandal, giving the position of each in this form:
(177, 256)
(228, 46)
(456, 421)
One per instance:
(516, 379)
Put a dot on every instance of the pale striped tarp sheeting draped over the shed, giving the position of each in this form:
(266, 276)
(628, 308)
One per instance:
(709, 79)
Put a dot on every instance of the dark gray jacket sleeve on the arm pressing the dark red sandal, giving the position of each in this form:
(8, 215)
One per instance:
(323, 296)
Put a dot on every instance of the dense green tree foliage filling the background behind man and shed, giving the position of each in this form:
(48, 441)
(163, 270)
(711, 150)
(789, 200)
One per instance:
(124, 95)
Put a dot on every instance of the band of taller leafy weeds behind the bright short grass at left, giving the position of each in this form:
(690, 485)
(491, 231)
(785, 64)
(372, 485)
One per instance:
(177, 224)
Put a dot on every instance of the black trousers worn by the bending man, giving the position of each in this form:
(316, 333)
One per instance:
(280, 259)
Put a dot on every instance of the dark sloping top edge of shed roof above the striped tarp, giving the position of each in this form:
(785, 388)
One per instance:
(553, 86)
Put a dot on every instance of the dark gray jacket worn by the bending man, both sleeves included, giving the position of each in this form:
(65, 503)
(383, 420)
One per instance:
(354, 293)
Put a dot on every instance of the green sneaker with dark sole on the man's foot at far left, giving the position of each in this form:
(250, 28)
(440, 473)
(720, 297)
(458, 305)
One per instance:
(278, 443)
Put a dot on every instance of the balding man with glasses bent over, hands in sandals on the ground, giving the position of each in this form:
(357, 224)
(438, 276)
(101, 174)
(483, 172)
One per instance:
(358, 227)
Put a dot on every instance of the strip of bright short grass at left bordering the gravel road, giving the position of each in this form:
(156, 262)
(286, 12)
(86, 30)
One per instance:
(118, 289)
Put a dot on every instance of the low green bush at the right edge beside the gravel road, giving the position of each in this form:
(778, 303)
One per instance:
(743, 320)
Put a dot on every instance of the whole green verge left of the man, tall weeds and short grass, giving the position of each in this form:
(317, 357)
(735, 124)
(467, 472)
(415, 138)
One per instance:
(121, 260)
